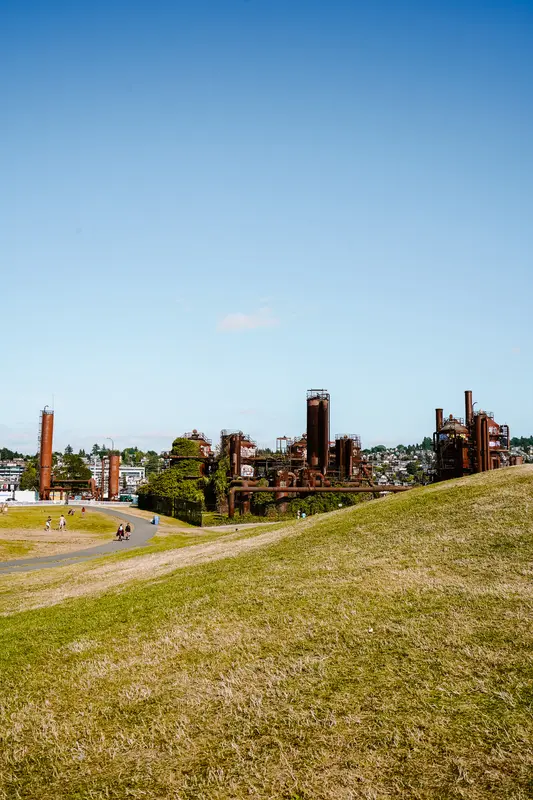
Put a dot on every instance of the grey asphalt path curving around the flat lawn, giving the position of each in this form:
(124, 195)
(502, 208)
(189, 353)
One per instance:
(142, 532)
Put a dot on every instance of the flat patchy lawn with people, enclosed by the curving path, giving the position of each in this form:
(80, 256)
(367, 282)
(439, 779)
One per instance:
(22, 531)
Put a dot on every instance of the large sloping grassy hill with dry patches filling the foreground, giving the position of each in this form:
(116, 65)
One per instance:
(382, 651)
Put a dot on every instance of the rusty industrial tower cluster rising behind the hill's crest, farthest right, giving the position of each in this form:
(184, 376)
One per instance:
(475, 443)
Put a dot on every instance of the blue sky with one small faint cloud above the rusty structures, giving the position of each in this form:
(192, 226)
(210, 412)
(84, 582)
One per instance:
(208, 207)
